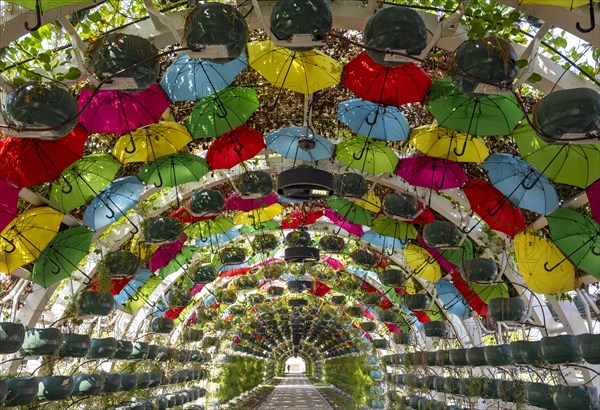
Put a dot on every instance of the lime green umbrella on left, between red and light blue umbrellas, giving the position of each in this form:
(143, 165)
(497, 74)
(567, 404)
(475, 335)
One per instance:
(83, 180)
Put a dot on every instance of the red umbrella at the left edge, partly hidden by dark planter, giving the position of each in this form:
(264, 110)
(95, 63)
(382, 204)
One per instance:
(30, 161)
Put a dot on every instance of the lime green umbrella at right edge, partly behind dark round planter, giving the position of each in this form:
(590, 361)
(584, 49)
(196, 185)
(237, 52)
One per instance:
(571, 164)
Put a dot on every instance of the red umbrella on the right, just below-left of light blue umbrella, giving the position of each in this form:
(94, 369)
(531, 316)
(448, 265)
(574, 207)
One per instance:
(493, 207)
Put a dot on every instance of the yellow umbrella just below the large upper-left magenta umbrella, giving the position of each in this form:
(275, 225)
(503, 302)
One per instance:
(153, 141)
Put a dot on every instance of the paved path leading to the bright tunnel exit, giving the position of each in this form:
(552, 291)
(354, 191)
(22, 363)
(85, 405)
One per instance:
(295, 392)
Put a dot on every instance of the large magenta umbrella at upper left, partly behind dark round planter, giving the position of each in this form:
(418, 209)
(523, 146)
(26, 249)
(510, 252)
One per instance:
(119, 112)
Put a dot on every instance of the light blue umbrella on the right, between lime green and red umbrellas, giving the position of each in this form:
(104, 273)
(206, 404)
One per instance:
(524, 185)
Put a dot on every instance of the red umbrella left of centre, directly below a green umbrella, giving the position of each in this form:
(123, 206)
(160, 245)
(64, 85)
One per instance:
(234, 146)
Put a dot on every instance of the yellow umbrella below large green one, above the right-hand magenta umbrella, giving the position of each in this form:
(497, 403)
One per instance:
(452, 145)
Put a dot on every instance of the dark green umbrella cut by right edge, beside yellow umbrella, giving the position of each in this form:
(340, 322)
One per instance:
(578, 237)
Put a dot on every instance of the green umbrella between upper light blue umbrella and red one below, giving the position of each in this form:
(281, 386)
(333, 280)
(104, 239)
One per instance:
(221, 112)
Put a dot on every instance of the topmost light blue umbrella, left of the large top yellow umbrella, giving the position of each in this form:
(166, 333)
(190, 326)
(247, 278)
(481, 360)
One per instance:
(190, 79)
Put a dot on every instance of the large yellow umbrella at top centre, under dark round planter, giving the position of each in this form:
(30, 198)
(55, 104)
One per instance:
(301, 71)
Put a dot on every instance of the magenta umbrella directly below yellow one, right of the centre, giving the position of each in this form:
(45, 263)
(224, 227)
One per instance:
(431, 172)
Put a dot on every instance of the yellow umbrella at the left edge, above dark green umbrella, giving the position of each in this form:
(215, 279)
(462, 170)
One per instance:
(25, 237)
